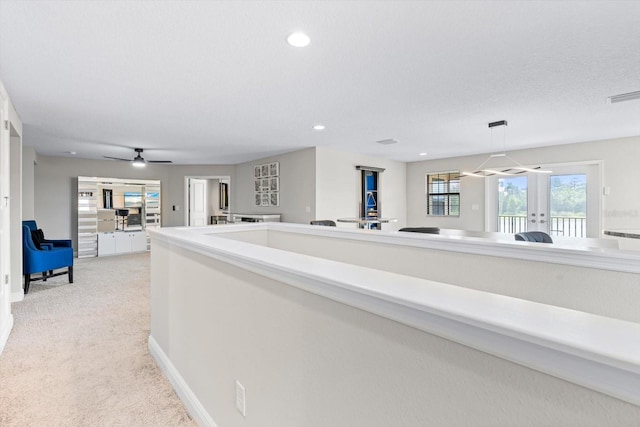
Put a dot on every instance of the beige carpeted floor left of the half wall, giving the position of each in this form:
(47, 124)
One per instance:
(78, 356)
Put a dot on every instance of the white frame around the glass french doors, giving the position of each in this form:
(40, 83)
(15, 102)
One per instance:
(491, 204)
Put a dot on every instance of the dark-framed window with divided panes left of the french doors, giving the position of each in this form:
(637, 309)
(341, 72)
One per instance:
(443, 193)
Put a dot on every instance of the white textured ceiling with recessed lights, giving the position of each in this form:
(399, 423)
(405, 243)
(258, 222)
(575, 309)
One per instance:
(202, 82)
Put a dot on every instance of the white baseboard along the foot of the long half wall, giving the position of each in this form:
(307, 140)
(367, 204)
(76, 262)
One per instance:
(190, 401)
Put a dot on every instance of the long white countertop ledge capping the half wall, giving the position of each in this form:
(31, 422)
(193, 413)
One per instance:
(594, 351)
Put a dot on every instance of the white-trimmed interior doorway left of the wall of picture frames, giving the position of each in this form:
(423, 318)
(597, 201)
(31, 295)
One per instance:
(207, 200)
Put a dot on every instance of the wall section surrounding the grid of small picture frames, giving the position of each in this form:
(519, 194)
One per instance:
(297, 187)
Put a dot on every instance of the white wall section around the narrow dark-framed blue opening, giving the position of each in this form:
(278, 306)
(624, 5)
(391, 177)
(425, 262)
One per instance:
(338, 186)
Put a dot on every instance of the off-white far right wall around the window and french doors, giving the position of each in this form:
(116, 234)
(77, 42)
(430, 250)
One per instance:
(621, 209)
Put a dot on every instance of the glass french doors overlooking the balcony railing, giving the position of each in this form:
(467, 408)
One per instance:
(565, 203)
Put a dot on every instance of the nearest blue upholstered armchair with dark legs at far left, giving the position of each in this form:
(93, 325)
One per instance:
(44, 260)
